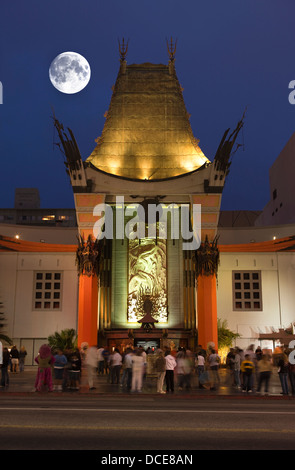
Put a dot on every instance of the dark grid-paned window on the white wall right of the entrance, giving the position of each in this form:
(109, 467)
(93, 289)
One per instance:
(247, 293)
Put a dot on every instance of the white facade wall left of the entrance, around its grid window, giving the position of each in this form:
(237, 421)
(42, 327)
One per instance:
(26, 325)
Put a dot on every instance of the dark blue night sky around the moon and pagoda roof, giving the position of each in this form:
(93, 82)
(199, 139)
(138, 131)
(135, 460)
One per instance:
(231, 54)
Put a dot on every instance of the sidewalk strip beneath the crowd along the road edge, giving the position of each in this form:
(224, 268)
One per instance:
(23, 383)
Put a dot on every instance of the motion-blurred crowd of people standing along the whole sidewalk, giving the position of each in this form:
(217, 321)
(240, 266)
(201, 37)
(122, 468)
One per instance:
(247, 370)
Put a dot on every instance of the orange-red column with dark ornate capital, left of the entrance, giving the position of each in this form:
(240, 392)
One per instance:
(88, 260)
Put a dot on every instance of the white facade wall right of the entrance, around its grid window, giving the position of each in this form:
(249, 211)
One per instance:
(278, 294)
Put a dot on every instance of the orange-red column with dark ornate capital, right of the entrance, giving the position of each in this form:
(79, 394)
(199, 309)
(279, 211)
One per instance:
(206, 267)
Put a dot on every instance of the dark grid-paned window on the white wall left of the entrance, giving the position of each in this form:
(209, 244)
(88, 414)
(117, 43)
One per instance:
(47, 295)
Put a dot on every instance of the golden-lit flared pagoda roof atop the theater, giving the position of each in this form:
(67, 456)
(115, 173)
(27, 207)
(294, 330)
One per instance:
(147, 133)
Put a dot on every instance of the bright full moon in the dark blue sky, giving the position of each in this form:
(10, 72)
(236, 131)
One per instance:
(69, 72)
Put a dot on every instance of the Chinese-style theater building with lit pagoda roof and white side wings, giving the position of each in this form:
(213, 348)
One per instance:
(135, 286)
